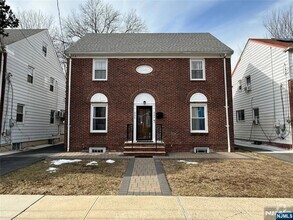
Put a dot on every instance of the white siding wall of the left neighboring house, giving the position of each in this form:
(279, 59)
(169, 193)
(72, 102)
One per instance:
(36, 97)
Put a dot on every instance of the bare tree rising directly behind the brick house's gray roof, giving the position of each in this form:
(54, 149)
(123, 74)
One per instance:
(95, 16)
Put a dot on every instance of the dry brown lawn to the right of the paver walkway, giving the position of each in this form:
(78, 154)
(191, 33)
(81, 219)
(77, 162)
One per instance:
(264, 177)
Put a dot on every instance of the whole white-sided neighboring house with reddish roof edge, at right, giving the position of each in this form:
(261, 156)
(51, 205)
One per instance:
(262, 92)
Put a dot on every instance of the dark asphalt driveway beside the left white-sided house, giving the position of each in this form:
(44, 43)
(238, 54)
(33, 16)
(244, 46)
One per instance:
(12, 162)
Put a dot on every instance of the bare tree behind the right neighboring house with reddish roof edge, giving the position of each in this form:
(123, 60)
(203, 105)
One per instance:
(279, 23)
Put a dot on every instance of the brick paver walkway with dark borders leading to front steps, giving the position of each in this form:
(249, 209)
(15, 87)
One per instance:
(144, 176)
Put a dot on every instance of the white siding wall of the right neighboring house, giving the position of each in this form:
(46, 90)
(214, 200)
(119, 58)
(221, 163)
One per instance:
(268, 68)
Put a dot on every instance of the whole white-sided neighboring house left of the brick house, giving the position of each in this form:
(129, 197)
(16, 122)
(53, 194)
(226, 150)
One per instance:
(32, 92)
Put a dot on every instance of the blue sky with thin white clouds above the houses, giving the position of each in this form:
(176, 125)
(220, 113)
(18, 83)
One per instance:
(232, 21)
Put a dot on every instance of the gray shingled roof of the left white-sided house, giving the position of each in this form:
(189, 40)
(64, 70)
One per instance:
(15, 35)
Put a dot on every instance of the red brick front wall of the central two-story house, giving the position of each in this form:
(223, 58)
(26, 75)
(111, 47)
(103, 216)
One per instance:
(169, 84)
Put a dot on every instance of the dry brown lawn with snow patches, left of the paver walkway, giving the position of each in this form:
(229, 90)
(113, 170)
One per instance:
(69, 179)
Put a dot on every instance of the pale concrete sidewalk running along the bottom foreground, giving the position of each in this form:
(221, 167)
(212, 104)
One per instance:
(134, 207)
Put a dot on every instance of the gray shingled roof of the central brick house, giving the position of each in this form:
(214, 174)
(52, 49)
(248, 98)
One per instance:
(149, 43)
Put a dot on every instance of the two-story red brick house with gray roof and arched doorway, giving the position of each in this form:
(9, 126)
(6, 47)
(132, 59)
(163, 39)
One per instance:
(139, 89)
